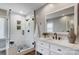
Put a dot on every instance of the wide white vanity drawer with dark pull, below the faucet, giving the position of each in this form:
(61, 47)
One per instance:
(61, 50)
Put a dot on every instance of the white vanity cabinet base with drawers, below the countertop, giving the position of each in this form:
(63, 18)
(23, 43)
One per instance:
(47, 48)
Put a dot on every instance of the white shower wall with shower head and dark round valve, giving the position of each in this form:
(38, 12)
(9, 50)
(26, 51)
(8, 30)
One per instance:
(29, 36)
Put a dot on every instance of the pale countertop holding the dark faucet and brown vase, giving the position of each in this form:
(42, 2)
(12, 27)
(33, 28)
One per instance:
(62, 43)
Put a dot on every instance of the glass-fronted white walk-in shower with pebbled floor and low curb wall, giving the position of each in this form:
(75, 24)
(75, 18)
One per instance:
(21, 33)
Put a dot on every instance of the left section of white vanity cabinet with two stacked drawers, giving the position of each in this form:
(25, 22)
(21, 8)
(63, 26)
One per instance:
(42, 47)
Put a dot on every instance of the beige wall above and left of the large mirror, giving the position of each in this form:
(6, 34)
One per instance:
(44, 10)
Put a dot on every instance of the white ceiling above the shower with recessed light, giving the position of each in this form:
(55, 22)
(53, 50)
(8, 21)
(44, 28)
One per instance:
(23, 8)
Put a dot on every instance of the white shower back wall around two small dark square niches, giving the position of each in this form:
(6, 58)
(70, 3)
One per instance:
(16, 35)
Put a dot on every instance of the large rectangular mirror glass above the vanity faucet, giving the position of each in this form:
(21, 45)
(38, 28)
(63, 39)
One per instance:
(60, 21)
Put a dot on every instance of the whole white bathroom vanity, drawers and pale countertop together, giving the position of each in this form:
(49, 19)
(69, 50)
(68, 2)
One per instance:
(47, 46)
